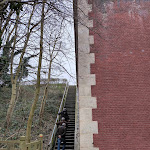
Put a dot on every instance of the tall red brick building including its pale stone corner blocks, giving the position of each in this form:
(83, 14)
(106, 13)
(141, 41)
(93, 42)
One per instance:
(113, 55)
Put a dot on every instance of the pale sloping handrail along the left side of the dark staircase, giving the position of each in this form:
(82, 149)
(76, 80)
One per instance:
(53, 137)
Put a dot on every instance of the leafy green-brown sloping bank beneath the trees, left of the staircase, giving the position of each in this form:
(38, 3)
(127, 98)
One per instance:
(21, 112)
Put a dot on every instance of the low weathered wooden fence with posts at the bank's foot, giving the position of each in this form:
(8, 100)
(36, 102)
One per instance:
(22, 145)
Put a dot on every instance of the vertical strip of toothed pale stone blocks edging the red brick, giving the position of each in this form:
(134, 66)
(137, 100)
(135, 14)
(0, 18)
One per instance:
(85, 78)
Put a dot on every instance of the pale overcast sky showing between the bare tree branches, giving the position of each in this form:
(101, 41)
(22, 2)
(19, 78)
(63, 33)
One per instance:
(68, 62)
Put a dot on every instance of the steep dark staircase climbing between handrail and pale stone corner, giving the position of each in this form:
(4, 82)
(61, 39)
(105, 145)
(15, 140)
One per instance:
(70, 105)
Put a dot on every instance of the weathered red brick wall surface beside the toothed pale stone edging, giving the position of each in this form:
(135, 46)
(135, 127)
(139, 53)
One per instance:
(122, 67)
